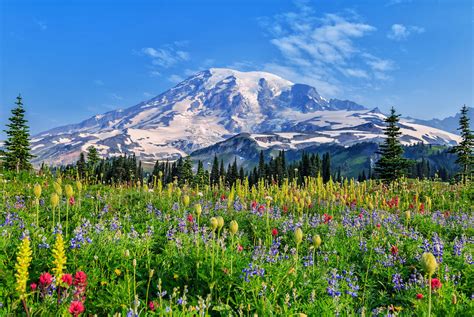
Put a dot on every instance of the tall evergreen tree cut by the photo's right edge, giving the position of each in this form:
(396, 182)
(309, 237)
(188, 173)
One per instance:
(464, 150)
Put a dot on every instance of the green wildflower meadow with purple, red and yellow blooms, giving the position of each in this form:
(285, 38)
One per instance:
(81, 248)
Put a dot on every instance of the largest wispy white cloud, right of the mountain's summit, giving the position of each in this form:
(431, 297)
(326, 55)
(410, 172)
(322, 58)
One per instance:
(323, 50)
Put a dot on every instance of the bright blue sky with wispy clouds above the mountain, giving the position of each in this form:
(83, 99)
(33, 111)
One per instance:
(73, 59)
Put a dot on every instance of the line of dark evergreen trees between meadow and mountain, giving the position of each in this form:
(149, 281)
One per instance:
(391, 164)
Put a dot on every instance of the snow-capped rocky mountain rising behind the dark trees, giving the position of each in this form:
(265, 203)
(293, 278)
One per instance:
(216, 104)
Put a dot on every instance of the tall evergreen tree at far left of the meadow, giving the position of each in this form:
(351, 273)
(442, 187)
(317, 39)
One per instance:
(17, 145)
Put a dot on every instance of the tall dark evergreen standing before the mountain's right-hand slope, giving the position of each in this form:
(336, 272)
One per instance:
(391, 164)
